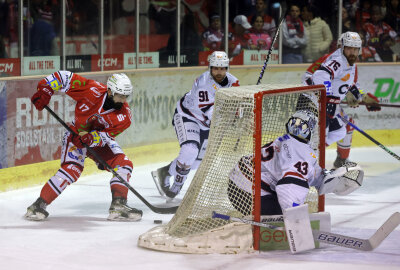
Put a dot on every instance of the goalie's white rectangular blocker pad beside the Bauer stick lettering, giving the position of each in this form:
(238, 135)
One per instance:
(298, 228)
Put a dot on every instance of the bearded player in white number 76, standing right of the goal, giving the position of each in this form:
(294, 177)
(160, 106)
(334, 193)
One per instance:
(338, 72)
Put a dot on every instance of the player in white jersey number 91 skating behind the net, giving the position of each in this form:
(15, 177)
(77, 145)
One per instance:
(192, 121)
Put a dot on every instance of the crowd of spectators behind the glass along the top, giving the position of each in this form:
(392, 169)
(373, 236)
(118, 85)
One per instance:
(309, 31)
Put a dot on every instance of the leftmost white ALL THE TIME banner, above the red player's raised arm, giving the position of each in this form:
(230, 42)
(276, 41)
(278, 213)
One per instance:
(38, 65)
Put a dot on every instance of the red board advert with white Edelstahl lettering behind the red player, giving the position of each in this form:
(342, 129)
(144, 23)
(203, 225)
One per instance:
(33, 136)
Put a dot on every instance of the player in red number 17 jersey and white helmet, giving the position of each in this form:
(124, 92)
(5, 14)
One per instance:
(101, 113)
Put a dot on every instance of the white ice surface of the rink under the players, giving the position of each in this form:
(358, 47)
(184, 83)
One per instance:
(77, 235)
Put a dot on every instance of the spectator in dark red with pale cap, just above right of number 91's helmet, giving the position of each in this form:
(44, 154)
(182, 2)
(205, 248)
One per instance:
(240, 35)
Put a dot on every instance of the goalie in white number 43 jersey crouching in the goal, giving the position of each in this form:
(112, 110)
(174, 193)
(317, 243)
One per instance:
(289, 166)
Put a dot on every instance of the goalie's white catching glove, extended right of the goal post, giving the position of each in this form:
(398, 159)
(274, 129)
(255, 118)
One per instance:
(342, 181)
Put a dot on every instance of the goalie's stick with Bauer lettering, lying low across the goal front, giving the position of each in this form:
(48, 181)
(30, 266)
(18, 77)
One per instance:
(333, 238)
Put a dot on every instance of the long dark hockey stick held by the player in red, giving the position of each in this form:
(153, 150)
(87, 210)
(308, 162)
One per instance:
(159, 210)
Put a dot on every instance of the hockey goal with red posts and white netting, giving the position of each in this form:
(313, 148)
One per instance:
(245, 118)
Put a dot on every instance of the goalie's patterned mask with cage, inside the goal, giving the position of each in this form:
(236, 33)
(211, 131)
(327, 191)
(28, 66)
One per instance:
(301, 125)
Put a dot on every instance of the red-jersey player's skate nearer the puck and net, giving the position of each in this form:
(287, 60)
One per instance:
(120, 211)
